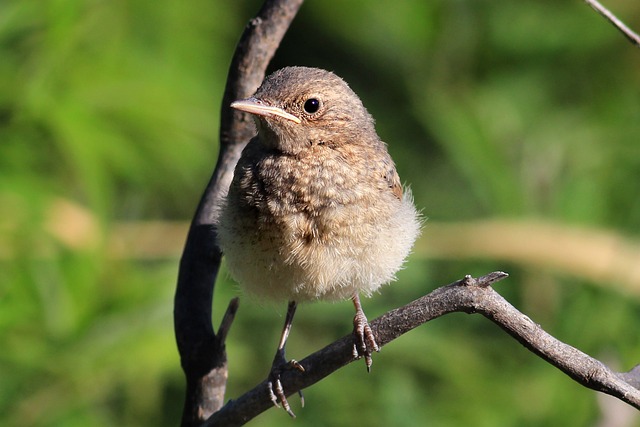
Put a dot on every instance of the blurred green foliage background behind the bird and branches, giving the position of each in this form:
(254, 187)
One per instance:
(517, 125)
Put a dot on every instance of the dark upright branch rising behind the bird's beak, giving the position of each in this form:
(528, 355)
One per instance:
(202, 353)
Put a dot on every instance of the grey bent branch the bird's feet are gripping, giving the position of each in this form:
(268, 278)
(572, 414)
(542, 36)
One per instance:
(468, 295)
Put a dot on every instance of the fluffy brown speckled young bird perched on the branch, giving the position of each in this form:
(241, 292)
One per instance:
(316, 210)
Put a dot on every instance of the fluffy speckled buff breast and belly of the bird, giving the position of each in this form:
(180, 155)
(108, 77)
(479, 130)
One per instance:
(319, 226)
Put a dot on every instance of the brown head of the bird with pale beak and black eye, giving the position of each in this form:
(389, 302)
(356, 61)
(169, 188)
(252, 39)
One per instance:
(297, 107)
